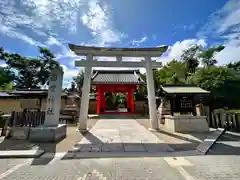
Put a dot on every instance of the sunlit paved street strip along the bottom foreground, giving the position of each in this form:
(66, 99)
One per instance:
(152, 168)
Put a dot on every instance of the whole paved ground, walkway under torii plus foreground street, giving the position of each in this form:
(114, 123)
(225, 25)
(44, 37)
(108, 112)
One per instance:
(143, 156)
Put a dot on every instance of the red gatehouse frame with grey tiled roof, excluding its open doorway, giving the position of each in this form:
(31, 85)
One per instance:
(112, 82)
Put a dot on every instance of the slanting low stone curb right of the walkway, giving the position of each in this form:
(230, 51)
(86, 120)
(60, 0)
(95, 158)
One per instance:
(204, 147)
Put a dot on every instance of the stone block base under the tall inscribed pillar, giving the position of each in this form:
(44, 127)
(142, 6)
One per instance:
(48, 134)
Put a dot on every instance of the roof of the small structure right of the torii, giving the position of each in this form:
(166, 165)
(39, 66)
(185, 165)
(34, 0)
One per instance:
(183, 89)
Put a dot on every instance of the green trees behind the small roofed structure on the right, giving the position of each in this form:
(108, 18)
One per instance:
(222, 81)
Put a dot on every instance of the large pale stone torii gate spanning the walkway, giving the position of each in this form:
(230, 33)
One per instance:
(147, 63)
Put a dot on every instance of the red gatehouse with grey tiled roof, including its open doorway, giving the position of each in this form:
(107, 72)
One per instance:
(115, 90)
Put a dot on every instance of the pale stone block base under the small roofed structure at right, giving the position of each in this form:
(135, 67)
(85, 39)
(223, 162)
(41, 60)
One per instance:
(186, 123)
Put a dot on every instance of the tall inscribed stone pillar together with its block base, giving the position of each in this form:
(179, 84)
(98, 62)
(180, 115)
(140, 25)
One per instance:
(51, 131)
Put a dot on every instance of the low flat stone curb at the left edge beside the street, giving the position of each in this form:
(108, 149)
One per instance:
(21, 154)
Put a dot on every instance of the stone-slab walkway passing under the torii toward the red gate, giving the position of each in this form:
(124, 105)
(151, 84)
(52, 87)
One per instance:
(121, 135)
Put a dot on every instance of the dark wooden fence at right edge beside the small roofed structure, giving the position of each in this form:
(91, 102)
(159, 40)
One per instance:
(222, 119)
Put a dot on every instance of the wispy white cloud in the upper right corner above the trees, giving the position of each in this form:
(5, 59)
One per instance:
(225, 25)
